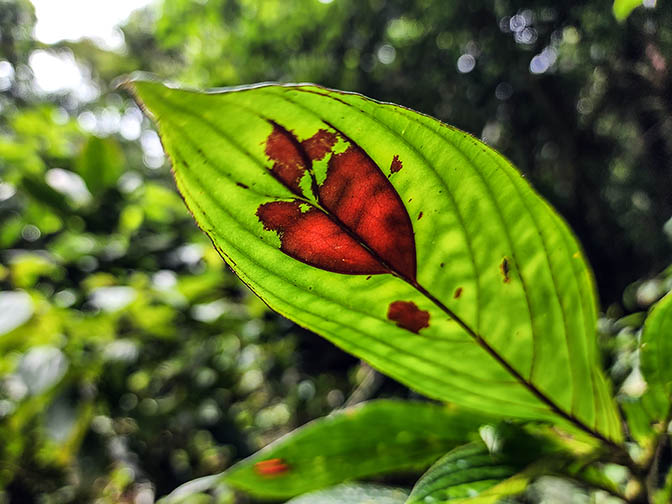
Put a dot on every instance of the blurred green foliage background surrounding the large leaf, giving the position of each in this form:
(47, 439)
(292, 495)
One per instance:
(132, 361)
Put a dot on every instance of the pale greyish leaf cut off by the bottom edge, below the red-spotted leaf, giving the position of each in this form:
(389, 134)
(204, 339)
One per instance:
(354, 494)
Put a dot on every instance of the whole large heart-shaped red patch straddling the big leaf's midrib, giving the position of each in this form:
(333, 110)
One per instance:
(366, 228)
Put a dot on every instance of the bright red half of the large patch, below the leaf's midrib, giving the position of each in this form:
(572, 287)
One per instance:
(314, 238)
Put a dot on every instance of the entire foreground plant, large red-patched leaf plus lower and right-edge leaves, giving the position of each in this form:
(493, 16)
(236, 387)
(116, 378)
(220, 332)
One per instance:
(422, 251)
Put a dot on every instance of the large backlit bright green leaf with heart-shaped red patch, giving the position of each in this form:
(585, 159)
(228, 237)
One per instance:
(406, 242)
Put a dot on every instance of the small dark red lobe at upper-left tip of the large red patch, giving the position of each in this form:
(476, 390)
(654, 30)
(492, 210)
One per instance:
(290, 162)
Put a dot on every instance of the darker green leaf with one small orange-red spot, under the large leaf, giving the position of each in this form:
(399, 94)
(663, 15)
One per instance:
(371, 438)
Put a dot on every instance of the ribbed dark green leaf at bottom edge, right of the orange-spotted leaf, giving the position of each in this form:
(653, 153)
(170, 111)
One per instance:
(471, 474)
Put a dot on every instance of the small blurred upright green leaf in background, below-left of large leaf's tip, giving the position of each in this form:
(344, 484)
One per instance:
(100, 163)
